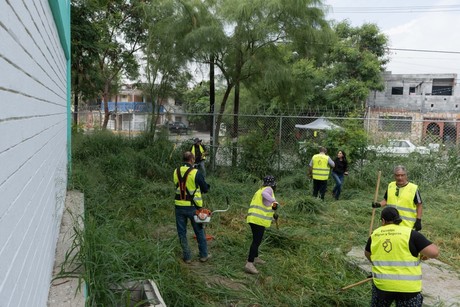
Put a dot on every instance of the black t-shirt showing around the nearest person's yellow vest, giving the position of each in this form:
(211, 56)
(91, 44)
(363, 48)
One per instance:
(417, 242)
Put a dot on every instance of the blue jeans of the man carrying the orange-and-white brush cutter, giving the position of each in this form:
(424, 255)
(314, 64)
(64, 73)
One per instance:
(184, 213)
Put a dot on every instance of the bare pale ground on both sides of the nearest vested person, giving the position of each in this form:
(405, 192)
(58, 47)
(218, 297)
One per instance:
(441, 283)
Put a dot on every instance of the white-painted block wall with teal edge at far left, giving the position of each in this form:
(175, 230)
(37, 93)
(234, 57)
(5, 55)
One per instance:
(34, 144)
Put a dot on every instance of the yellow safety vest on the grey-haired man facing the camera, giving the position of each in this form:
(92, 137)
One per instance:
(404, 202)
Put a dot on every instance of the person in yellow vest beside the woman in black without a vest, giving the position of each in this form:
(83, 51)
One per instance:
(319, 169)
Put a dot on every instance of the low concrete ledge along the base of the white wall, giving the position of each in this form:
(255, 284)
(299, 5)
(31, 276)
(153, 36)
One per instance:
(64, 291)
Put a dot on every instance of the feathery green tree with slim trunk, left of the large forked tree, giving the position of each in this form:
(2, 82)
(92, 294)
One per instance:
(167, 52)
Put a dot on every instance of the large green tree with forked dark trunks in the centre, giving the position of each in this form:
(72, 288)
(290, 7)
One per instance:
(251, 31)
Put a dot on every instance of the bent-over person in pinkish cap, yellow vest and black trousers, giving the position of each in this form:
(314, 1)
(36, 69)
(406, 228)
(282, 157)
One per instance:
(260, 216)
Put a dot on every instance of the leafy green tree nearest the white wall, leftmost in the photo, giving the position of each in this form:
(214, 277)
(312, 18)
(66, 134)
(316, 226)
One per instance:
(116, 25)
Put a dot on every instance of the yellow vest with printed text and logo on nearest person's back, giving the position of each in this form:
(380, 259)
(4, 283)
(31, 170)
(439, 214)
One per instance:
(394, 268)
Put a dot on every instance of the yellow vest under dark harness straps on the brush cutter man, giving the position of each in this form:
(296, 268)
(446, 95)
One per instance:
(194, 192)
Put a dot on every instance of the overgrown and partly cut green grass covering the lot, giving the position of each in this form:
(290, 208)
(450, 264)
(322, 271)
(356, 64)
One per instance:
(130, 228)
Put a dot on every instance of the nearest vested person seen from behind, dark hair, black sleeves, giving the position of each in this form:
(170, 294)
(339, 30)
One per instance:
(395, 252)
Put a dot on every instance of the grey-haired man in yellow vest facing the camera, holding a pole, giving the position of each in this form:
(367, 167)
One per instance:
(404, 196)
